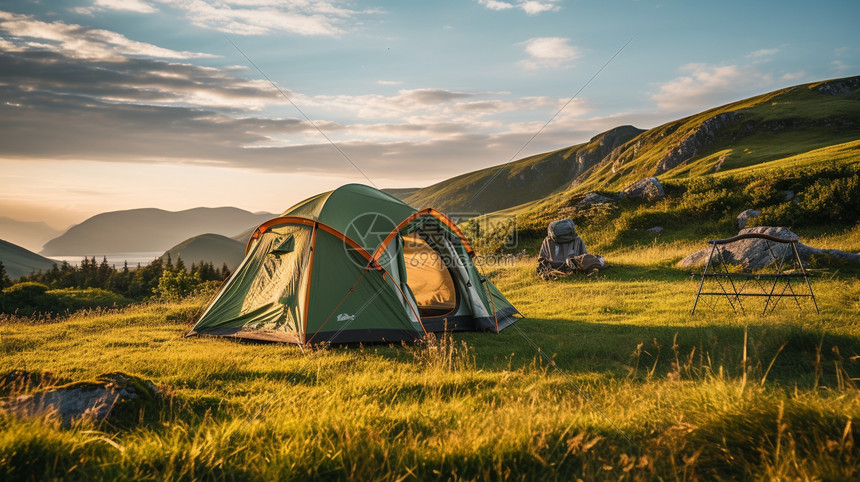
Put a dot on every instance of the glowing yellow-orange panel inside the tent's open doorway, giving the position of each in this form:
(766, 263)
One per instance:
(428, 277)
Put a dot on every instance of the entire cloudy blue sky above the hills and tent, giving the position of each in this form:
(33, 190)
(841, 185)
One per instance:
(119, 104)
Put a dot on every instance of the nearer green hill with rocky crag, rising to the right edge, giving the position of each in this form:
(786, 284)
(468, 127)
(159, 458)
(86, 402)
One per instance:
(769, 127)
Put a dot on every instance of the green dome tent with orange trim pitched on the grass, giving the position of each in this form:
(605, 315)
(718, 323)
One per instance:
(355, 265)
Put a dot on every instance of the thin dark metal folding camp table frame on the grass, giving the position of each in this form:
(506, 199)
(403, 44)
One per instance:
(772, 286)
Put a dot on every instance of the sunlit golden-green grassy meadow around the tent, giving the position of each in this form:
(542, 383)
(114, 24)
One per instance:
(607, 377)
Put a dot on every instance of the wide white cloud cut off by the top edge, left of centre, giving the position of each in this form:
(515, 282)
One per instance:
(262, 17)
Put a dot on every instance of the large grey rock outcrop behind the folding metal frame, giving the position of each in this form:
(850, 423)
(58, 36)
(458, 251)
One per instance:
(753, 254)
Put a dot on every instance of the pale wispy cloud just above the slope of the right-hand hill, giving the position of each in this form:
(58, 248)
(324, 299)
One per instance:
(704, 86)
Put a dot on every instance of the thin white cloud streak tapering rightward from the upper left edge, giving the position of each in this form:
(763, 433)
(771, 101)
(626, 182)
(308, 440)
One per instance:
(75, 41)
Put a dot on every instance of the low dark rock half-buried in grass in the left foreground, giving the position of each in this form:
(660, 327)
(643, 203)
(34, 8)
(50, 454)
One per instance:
(116, 397)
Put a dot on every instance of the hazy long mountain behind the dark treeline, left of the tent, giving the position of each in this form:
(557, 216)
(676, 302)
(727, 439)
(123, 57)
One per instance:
(146, 230)
